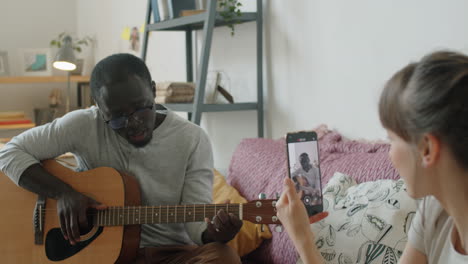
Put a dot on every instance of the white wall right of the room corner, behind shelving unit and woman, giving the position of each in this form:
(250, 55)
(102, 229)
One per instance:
(326, 60)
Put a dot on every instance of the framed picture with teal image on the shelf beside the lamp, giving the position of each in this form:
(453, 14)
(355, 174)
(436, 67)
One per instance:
(35, 62)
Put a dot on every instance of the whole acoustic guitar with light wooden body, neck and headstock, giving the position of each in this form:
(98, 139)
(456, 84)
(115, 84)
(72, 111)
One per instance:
(30, 229)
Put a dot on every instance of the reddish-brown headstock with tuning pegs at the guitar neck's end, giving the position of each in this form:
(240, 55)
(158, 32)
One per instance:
(262, 211)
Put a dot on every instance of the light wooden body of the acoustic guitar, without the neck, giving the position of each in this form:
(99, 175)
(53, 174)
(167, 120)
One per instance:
(115, 244)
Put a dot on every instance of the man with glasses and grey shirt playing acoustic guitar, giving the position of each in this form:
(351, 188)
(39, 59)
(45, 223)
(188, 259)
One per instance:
(170, 157)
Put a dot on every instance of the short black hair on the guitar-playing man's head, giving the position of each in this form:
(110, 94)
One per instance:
(117, 68)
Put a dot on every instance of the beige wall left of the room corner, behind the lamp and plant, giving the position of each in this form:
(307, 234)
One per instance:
(31, 24)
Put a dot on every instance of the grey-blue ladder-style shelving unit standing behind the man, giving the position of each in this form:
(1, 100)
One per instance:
(207, 21)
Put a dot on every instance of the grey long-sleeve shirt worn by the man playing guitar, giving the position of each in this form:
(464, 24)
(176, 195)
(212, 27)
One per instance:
(174, 168)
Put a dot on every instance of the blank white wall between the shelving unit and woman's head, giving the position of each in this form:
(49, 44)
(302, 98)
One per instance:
(330, 59)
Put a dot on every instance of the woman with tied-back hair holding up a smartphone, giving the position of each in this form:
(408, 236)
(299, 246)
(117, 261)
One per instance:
(424, 108)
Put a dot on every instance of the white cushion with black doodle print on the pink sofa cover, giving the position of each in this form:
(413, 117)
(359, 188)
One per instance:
(367, 222)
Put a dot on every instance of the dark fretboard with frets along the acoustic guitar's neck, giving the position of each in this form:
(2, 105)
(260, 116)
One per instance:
(133, 215)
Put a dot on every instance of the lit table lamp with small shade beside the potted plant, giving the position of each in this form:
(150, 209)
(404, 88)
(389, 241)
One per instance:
(65, 61)
